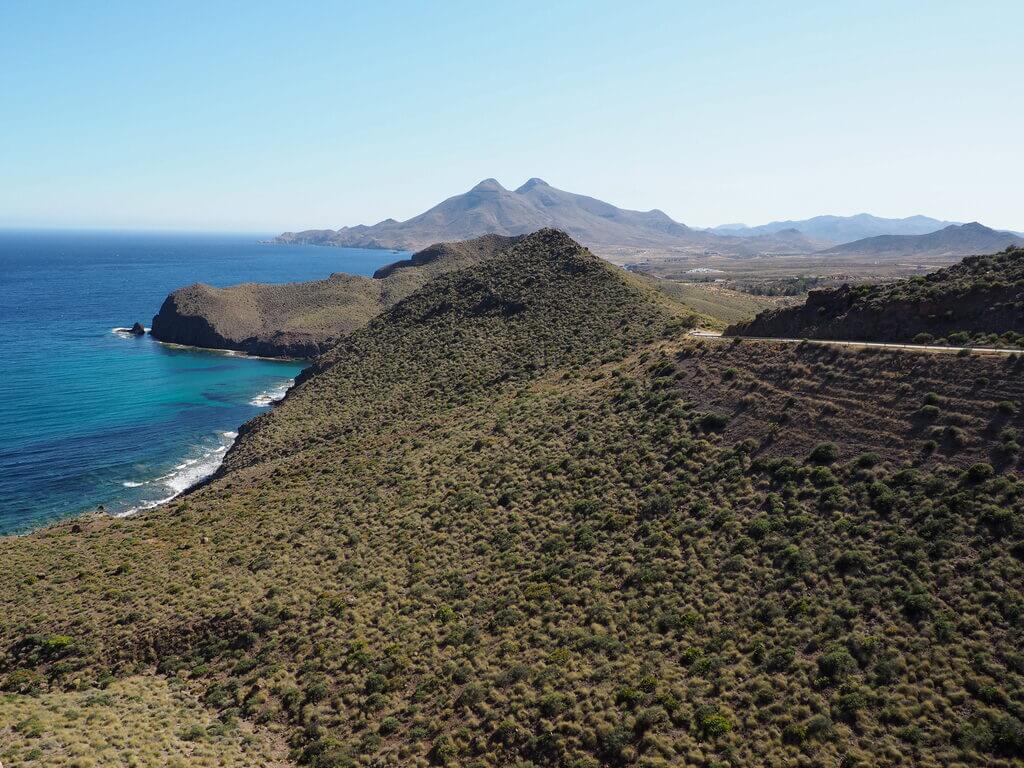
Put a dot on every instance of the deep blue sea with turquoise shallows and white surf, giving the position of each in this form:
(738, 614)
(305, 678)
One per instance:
(90, 416)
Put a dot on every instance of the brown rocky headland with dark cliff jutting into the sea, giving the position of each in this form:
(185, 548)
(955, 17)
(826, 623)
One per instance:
(303, 320)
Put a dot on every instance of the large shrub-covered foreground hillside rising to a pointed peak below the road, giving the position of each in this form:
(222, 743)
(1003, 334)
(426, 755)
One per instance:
(521, 519)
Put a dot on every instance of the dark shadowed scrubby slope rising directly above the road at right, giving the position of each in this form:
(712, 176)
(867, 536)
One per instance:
(978, 302)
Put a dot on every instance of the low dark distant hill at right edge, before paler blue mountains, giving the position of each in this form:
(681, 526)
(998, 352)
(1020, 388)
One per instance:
(956, 240)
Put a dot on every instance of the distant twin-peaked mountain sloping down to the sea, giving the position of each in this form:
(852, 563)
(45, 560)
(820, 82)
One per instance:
(490, 208)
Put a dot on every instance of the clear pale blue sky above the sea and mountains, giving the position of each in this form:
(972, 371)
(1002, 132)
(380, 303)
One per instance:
(271, 116)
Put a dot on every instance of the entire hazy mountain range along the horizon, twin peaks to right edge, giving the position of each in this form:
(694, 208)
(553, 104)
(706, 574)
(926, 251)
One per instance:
(491, 209)
